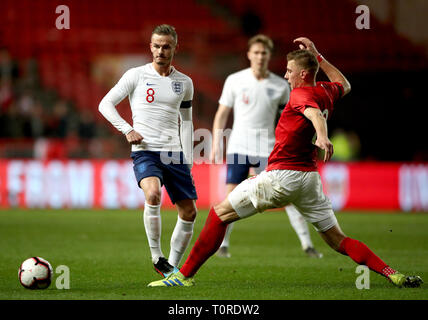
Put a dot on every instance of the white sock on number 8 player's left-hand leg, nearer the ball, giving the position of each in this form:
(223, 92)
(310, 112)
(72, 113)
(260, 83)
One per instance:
(153, 226)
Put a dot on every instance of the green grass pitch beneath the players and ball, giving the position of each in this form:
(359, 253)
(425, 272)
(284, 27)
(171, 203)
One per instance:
(108, 257)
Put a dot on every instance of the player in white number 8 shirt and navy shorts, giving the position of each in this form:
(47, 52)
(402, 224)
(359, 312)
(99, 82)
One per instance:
(158, 93)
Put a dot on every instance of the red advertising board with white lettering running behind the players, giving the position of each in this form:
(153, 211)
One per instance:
(111, 184)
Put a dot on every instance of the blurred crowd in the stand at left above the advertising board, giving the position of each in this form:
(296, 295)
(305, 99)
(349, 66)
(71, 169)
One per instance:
(36, 122)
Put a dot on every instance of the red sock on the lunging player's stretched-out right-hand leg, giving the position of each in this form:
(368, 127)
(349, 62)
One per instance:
(361, 254)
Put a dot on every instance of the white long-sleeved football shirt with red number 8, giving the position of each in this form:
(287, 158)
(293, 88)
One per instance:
(155, 101)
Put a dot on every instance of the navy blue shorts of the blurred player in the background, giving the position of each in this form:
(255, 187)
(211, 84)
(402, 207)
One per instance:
(238, 167)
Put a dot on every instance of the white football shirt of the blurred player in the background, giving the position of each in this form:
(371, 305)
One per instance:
(255, 107)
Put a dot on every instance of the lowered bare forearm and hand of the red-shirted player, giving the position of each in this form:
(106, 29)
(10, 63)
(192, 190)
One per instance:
(320, 125)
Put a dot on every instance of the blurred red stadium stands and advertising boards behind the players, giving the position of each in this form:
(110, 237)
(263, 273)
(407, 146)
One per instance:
(56, 150)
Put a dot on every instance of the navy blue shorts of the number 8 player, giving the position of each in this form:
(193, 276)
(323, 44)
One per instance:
(171, 170)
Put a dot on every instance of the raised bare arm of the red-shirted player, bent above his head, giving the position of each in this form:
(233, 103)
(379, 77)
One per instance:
(333, 74)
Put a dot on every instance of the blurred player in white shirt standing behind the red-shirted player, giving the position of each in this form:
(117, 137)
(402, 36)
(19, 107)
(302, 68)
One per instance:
(257, 97)
